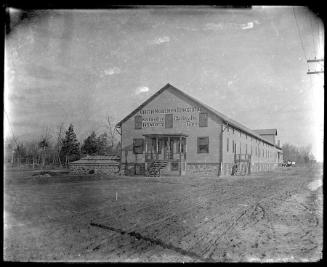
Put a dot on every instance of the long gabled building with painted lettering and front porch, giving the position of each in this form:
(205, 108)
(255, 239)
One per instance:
(174, 134)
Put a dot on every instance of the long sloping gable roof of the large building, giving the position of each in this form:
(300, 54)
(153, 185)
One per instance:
(225, 119)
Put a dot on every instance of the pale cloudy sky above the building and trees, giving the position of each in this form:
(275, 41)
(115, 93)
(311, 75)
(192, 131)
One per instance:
(79, 66)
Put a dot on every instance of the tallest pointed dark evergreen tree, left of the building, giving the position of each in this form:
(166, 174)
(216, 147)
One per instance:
(70, 147)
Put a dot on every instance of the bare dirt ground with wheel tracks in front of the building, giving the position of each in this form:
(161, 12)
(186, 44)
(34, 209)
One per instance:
(274, 216)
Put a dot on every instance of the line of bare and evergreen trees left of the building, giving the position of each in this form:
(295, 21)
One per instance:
(61, 147)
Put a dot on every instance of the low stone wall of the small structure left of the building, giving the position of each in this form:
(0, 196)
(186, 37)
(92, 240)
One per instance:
(83, 169)
